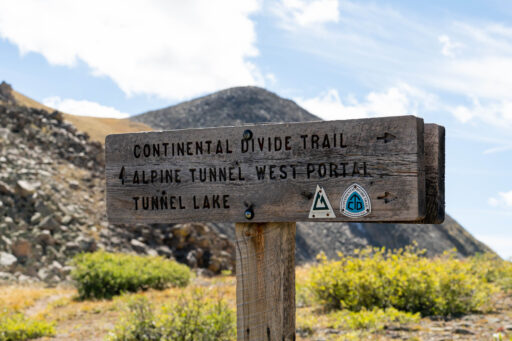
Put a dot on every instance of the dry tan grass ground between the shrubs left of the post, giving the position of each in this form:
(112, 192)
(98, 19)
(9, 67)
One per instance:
(93, 320)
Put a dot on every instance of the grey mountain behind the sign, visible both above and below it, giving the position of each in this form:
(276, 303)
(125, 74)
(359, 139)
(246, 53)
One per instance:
(243, 105)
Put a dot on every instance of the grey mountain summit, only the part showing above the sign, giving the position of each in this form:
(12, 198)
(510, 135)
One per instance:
(234, 106)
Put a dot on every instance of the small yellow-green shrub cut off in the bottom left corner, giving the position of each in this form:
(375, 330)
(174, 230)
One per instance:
(16, 326)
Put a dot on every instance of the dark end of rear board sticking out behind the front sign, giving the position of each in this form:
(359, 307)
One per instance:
(434, 174)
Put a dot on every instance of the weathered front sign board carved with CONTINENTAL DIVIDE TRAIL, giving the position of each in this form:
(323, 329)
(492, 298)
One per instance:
(383, 155)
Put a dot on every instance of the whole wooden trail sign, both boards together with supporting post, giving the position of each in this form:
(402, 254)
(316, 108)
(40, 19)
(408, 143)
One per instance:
(265, 178)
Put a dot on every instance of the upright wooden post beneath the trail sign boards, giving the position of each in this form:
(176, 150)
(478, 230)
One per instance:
(265, 281)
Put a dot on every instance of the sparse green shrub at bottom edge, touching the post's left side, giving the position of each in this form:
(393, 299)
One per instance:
(192, 318)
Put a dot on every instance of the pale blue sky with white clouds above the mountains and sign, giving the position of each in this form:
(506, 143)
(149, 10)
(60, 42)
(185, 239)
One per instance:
(448, 62)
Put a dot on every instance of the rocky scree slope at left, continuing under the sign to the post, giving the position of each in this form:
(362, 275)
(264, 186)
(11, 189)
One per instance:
(52, 204)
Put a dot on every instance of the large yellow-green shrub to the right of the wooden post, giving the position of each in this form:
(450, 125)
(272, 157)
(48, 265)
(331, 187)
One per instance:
(401, 279)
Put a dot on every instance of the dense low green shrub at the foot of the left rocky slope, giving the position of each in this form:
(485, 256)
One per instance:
(104, 275)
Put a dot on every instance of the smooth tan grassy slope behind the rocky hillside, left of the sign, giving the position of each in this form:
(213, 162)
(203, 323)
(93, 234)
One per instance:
(97, 127)
